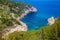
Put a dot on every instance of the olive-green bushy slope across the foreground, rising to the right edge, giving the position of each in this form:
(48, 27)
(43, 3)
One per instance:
(44, 33)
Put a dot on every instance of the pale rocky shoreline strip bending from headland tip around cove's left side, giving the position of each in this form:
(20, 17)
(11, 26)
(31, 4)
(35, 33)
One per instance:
(27, 10)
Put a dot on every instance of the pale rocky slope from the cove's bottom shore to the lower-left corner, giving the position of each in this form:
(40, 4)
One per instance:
(18, 28)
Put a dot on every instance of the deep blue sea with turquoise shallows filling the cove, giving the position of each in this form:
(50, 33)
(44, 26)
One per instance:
(45, 9)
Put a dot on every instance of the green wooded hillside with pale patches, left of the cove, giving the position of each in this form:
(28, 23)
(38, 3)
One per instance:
(7, 7)
